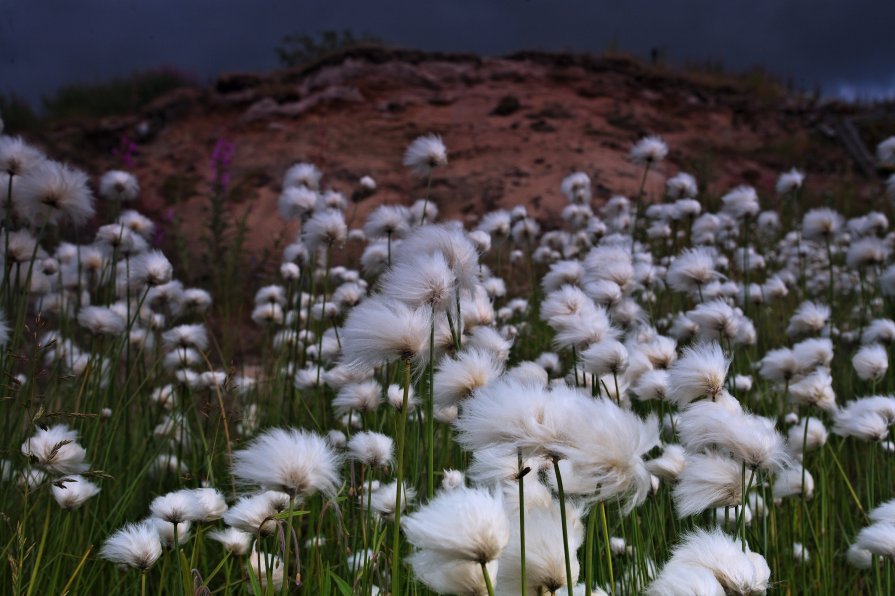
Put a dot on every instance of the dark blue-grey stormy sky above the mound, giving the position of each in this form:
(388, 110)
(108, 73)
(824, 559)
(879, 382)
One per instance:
(846, 47)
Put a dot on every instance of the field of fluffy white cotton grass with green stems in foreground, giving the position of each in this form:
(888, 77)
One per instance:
(667, 395)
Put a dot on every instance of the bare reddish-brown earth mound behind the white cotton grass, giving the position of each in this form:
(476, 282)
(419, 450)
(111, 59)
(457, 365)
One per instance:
(354, 114)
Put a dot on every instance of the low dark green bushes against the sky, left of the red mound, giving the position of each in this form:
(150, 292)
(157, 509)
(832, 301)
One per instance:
(116, 96)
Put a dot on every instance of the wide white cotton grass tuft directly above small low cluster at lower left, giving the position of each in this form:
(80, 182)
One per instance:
(293, 461)
